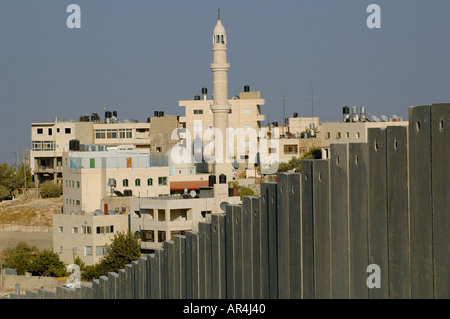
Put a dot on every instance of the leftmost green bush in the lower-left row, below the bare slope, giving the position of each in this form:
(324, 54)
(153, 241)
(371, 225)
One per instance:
(19, 257)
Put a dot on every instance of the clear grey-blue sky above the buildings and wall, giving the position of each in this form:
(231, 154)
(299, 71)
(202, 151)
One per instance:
(140, 56)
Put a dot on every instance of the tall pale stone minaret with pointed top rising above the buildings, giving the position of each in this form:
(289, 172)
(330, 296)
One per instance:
(220, 107)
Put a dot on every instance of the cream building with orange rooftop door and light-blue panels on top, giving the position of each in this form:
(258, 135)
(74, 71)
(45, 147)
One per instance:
(125, 171)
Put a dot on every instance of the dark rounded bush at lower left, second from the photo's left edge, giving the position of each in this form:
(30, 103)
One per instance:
(47, 264)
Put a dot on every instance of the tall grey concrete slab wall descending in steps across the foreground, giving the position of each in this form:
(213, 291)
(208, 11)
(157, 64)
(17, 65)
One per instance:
(374, 213)
